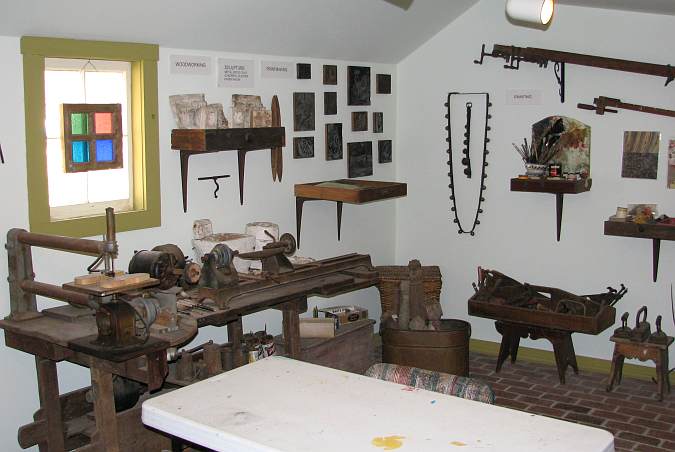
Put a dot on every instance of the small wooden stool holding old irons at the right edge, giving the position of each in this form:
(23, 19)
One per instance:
(625, 348)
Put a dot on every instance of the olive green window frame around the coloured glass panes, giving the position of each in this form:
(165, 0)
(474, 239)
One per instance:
(146, 212)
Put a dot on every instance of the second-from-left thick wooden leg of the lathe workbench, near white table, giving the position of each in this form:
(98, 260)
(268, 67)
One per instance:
(104, 410)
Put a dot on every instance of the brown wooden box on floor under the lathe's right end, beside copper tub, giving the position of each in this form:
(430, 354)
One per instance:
(351, 349)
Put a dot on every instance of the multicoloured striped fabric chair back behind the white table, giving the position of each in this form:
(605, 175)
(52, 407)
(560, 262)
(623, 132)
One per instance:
(467, 388)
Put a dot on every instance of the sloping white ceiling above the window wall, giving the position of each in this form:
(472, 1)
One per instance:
(358, 30)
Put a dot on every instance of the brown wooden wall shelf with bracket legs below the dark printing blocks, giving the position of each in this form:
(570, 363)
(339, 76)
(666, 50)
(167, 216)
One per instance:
(351, 191)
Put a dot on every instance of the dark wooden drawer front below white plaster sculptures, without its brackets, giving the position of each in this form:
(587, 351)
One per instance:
(212, 140)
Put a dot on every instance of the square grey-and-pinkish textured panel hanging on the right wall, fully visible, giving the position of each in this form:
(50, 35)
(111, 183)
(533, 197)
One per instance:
(640, 155)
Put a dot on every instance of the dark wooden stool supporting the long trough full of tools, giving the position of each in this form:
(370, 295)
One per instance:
(561, 340)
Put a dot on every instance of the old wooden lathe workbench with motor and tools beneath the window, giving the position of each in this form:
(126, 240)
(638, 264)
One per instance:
(129, 335)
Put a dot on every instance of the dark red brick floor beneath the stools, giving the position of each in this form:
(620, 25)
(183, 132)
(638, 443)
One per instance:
(631, 412)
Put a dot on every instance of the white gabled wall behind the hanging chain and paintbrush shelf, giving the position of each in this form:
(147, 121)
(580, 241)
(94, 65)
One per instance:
(517, 231)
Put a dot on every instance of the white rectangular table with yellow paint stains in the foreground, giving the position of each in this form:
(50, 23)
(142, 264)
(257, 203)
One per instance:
(279, 404)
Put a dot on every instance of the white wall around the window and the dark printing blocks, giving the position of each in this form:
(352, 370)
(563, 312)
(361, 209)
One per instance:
(365, 229)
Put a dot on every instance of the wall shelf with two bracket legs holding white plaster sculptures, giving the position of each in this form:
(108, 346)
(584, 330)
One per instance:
(204, 141)
